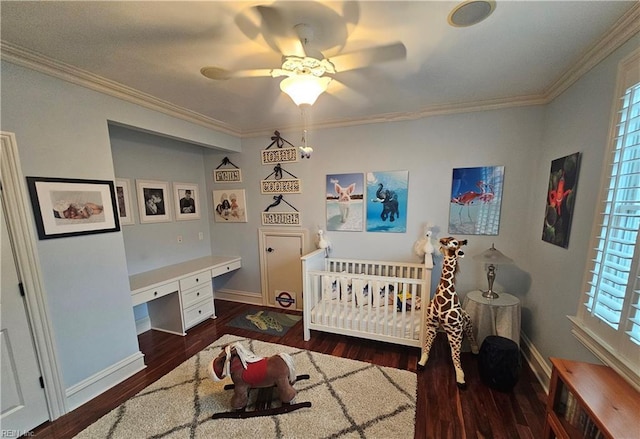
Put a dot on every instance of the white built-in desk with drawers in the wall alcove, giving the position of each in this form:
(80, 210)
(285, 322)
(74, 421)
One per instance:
(180, 296)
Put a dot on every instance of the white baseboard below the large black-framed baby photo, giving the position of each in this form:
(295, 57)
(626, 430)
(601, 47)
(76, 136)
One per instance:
(102, 381)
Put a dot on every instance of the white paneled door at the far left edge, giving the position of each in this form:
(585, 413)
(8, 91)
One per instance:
(24, 404)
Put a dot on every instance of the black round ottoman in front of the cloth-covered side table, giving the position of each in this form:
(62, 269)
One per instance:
(499, 363)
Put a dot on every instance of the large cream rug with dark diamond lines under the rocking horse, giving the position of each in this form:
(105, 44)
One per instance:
(348, 399)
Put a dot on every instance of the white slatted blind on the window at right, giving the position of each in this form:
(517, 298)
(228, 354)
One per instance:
(613, 294)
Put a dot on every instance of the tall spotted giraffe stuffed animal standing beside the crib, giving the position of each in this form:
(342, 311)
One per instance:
(445, 310)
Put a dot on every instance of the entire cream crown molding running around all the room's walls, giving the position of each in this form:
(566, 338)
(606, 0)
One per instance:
(625, 28)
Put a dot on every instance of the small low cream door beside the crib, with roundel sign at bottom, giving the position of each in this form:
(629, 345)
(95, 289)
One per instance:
(282, 269)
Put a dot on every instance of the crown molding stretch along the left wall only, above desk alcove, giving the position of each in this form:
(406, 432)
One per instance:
(66, 72)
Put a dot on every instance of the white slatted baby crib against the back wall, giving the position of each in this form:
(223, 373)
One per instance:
(377, 300)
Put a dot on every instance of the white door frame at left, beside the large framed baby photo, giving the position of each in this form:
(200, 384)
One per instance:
(21, 233)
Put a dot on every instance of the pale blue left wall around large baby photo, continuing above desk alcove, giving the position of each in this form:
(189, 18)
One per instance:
(62, 131)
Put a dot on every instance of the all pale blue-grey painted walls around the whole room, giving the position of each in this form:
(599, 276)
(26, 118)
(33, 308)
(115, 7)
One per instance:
(63, 130)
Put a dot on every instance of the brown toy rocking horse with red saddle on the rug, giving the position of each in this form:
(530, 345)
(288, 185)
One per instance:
(249, 371)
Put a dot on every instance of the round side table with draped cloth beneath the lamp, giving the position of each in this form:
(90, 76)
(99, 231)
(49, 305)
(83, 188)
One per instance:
(499, 316)
